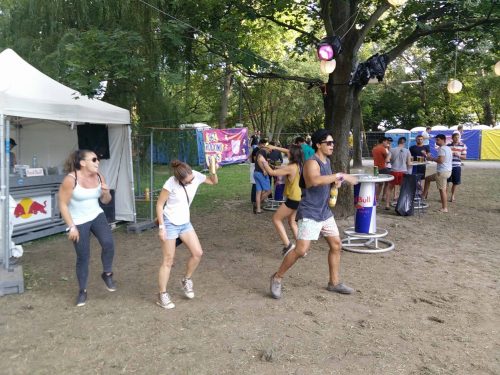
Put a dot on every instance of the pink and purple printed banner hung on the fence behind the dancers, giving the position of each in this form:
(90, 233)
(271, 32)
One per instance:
(229, 146)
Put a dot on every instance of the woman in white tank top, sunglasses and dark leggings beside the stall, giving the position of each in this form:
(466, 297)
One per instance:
(78, 201)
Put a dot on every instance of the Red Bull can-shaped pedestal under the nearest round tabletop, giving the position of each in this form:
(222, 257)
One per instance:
(364, 201)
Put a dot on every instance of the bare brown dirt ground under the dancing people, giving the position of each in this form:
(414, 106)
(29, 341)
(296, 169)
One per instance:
(431, 306)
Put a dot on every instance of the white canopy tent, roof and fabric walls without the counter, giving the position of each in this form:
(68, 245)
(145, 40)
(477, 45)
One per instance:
(44, 115)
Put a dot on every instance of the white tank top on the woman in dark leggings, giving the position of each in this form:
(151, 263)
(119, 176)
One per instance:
(84, 203)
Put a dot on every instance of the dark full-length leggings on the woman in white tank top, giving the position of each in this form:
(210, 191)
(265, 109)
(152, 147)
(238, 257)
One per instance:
(100, 228)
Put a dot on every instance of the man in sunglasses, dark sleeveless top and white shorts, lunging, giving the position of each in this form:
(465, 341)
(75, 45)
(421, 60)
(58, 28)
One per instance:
(315, 216)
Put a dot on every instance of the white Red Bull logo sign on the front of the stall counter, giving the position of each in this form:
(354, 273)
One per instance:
(31, 209)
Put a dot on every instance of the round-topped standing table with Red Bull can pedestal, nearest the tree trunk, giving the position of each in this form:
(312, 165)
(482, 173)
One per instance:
(364, 236)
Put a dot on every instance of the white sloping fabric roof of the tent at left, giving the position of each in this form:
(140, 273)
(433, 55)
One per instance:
(27, 92)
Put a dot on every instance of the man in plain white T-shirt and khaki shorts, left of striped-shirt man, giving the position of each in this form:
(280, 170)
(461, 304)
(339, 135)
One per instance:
(443, 171)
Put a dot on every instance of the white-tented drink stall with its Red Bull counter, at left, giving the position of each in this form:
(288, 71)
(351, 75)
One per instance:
(48, 121)
